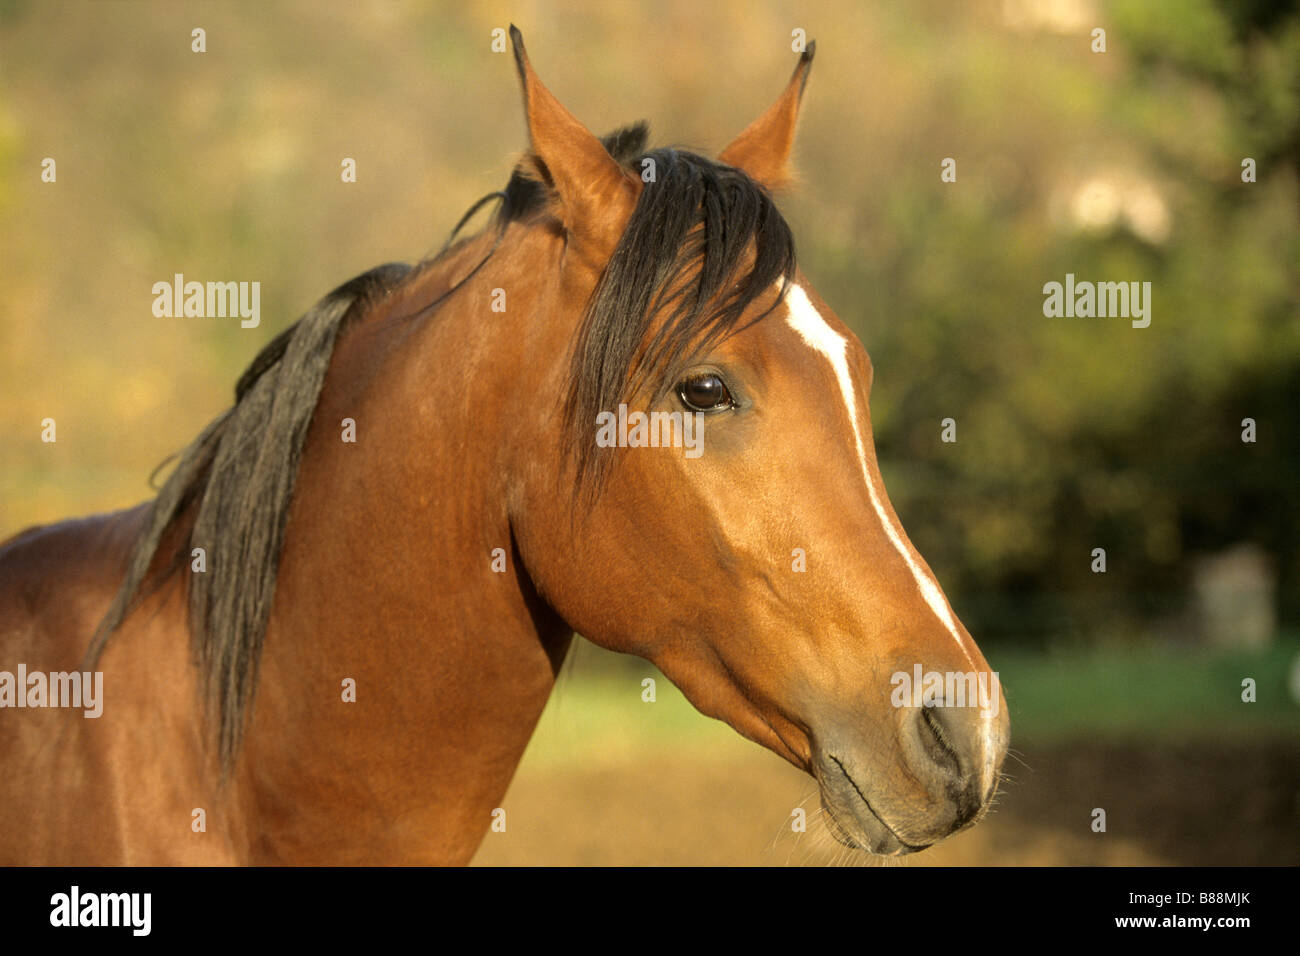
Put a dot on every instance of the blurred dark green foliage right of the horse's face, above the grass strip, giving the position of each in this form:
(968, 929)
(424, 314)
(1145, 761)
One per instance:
(1081, 434)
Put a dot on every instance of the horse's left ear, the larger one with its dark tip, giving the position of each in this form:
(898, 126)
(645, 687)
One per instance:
(596, 194)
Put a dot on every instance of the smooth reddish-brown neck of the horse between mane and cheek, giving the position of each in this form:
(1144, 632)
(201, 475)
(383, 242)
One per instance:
(388, 578)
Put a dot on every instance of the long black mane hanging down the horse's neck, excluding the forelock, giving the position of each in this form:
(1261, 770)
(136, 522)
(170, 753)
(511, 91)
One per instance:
(235, 485)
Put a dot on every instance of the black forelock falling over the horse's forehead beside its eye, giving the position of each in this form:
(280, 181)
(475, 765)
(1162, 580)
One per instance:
(704, 244)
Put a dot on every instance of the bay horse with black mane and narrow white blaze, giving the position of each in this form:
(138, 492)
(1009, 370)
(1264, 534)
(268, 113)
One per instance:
(393, 535)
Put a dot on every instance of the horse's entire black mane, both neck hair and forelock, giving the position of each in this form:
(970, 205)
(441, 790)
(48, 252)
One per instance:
(231, 492)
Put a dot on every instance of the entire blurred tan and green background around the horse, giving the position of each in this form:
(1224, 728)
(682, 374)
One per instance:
(1125, 687)
